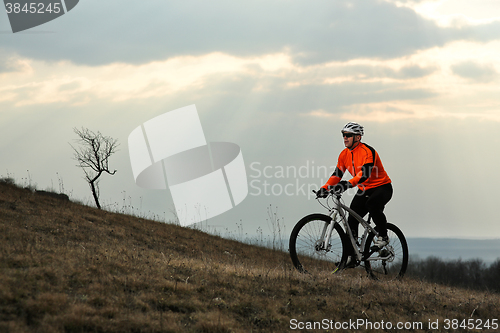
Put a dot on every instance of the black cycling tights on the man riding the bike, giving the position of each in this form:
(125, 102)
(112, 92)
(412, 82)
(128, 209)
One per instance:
(371, 201)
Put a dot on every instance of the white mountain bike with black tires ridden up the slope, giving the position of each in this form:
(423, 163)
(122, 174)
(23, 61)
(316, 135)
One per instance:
(318, 243)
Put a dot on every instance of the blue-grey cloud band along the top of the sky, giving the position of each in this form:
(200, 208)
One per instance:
(103, 32)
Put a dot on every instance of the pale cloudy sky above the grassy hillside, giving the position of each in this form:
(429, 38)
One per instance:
(279, 78)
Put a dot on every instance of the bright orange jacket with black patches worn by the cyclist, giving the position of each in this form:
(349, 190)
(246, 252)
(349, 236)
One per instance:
(364, 164)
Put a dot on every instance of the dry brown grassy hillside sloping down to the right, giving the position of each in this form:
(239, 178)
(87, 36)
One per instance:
(65, 267)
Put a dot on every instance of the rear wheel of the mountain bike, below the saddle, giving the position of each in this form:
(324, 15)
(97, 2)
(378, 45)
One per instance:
(395, 268)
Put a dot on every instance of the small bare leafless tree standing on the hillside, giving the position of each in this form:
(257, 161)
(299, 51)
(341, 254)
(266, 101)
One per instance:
(93, 157)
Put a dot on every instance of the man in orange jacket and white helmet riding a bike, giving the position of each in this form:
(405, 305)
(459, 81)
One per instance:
(374, 185)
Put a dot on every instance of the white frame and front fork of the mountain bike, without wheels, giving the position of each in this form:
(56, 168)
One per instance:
(340, 208)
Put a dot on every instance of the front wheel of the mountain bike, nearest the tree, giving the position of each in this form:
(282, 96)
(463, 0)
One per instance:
(303, 246)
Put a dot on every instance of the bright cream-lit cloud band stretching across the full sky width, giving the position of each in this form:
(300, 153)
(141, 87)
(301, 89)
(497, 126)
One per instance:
(417, 86)
